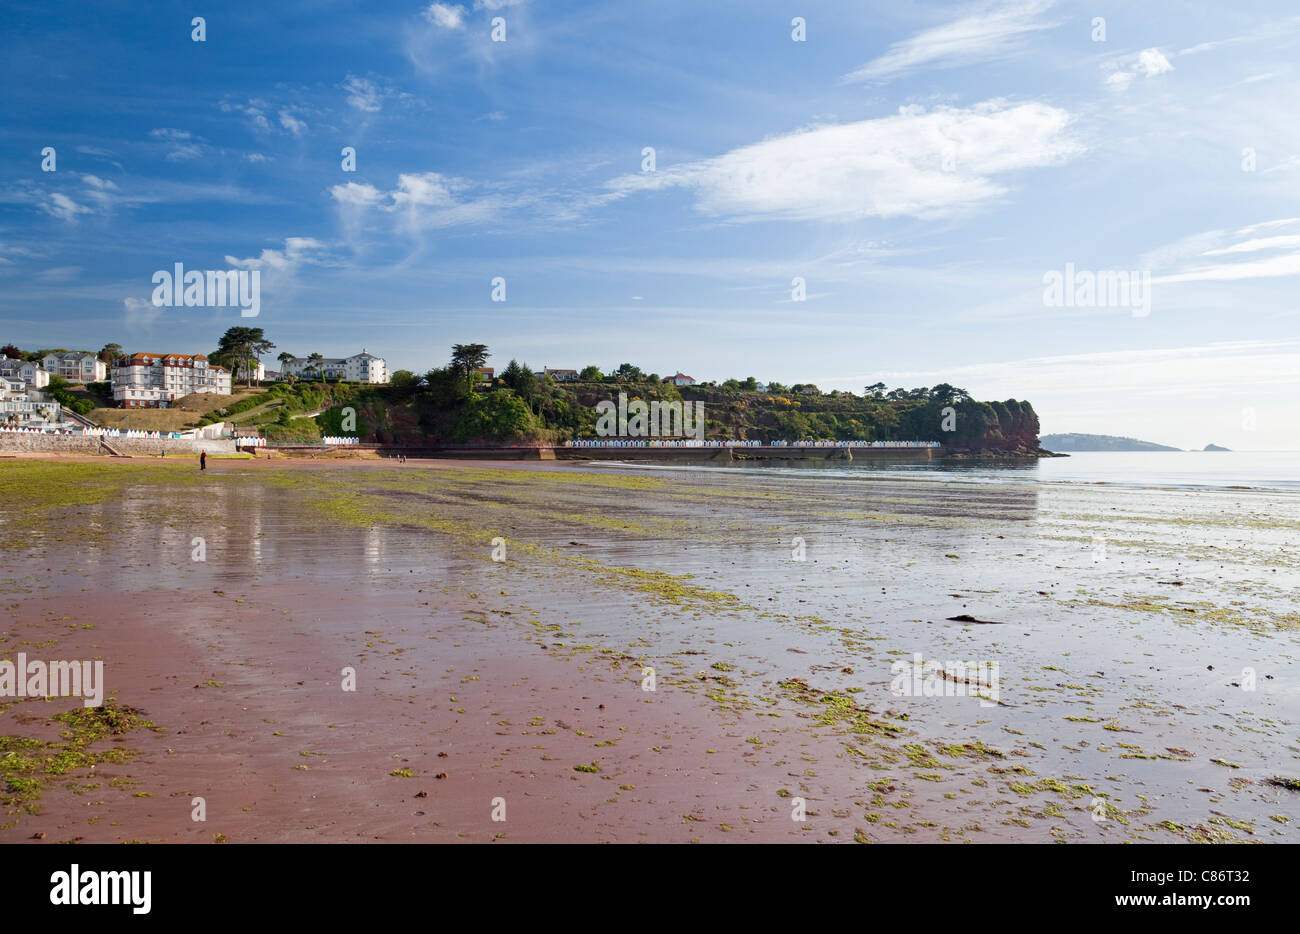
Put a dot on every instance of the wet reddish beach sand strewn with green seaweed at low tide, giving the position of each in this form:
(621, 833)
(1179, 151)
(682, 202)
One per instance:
(773, 674)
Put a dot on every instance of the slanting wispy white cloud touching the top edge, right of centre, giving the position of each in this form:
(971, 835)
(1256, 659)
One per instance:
(987, 32)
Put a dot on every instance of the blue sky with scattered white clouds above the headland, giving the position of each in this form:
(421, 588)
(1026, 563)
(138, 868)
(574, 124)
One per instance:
(831, 193)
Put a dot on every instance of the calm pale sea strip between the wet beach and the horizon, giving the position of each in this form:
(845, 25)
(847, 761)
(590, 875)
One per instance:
(1180, 470)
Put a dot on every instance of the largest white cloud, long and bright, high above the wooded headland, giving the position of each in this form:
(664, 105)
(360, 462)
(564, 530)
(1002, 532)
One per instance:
(918, 165)
